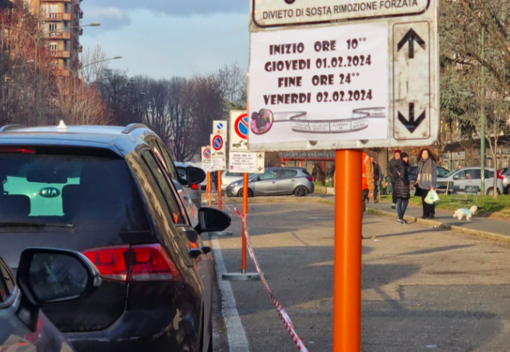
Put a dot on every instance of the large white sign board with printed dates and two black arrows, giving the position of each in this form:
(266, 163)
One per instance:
(362, 84)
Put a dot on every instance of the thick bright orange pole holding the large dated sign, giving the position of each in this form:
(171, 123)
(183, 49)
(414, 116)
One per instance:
(347, 267)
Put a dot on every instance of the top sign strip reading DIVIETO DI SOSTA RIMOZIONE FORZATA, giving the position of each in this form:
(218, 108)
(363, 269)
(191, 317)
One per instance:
(270, 13)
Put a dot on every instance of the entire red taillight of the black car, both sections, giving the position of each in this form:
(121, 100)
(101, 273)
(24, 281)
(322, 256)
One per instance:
(138, 263)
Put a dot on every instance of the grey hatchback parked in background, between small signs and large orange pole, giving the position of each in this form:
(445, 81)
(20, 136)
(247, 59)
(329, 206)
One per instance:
(275, 181)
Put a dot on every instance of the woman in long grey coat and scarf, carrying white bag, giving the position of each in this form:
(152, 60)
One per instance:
(426, 181)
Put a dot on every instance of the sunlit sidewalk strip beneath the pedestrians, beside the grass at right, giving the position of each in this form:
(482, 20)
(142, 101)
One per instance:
(484, 227)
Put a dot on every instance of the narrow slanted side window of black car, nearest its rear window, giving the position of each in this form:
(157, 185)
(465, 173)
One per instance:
(170, 199)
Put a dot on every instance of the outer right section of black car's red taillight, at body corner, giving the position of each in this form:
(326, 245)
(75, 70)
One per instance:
(151, 263)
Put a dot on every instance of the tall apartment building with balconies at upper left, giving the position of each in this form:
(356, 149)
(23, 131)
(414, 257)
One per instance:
(60, 25)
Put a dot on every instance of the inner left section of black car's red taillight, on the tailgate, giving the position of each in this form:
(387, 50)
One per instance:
(111, 262)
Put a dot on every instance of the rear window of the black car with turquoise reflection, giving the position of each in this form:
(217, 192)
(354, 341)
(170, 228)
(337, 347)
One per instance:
(76, 192)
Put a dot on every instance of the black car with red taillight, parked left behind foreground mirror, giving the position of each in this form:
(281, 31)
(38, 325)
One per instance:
(104, 192)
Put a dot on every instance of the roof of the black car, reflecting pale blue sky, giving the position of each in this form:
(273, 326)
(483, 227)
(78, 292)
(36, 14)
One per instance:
(121, 140)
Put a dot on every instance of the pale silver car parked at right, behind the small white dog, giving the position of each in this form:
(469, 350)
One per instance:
(469, 178)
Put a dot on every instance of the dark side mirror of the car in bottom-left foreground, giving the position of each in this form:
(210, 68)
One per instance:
(47, 276)
